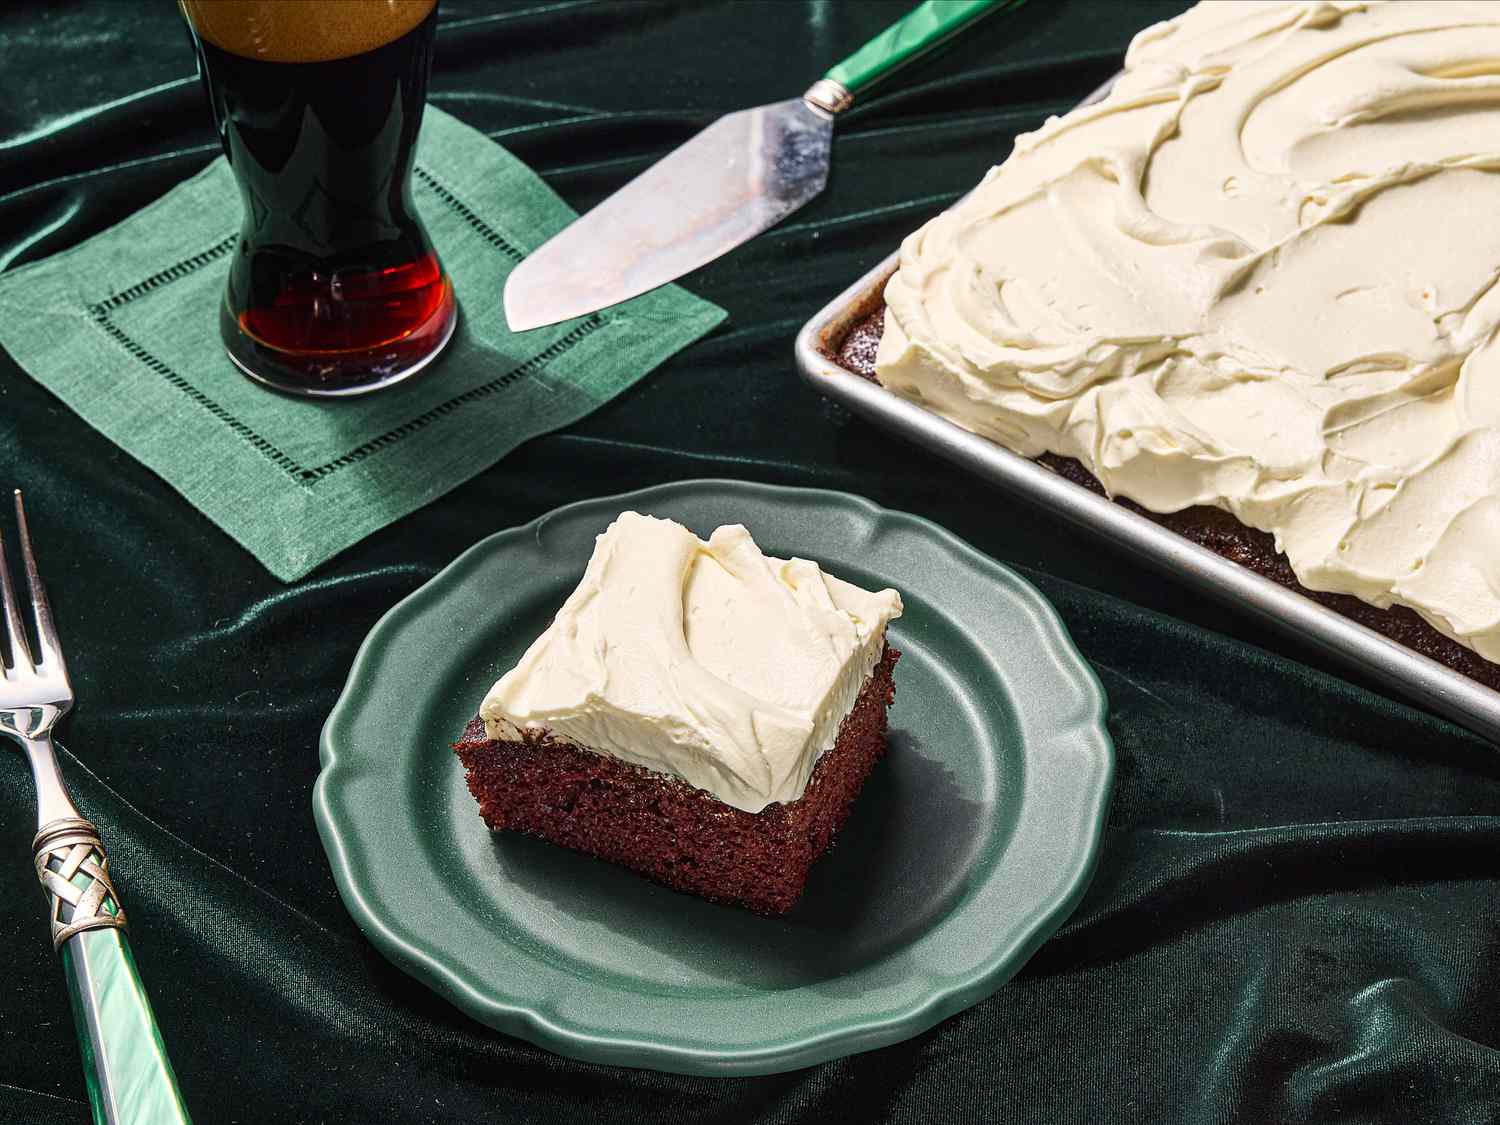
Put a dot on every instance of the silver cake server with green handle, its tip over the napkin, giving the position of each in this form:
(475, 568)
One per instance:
(740, 176)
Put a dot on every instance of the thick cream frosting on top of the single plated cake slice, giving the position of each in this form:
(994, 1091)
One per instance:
(706, 661)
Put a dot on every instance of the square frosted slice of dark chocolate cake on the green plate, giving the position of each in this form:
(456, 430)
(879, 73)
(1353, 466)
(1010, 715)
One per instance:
(697, 712)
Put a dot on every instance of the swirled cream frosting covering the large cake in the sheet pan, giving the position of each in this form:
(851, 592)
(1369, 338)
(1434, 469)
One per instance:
(1262, 277)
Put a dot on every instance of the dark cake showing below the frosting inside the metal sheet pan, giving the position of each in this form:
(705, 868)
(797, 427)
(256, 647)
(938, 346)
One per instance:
(1223, 535)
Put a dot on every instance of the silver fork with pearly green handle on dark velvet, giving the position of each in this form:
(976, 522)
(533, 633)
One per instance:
(125, 1064)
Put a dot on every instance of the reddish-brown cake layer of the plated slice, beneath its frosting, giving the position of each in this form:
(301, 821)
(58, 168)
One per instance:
(670, 830)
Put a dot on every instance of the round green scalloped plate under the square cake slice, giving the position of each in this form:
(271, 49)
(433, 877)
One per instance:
(971, 844)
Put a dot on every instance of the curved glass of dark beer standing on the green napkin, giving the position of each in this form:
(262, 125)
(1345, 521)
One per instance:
(334, 287)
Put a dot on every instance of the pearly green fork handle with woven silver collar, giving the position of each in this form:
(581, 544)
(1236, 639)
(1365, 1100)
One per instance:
(130, 1078)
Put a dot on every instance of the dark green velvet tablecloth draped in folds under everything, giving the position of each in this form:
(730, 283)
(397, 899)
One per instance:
(1295, 917)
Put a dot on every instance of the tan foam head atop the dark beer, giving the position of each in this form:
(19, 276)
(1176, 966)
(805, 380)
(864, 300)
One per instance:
(304, 31)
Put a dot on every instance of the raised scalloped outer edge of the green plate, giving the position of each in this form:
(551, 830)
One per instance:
(575, 1040)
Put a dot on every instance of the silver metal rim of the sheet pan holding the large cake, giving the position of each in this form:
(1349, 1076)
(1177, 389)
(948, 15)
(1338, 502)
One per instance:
(1403, 670)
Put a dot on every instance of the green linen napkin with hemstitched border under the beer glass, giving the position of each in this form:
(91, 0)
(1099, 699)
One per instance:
(124, 329)
